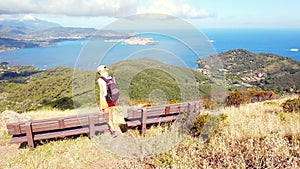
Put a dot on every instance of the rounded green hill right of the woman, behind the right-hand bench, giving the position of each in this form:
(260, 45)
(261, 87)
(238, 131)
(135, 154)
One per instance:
(139, 77)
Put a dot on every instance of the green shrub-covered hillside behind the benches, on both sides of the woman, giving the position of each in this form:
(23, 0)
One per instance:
(25, 88)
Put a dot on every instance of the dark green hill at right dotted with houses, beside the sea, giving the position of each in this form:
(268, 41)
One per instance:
(244, 69)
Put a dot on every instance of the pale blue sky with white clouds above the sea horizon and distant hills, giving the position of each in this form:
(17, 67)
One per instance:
(200, 13)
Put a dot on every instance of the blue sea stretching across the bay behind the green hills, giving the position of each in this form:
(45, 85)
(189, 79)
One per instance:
(183, 50)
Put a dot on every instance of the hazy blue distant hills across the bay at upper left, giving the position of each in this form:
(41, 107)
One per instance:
(39, 33)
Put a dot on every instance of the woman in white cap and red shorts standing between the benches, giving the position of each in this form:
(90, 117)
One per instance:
(104, 105)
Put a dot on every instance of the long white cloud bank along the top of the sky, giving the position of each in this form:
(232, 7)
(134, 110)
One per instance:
(110, 8)
